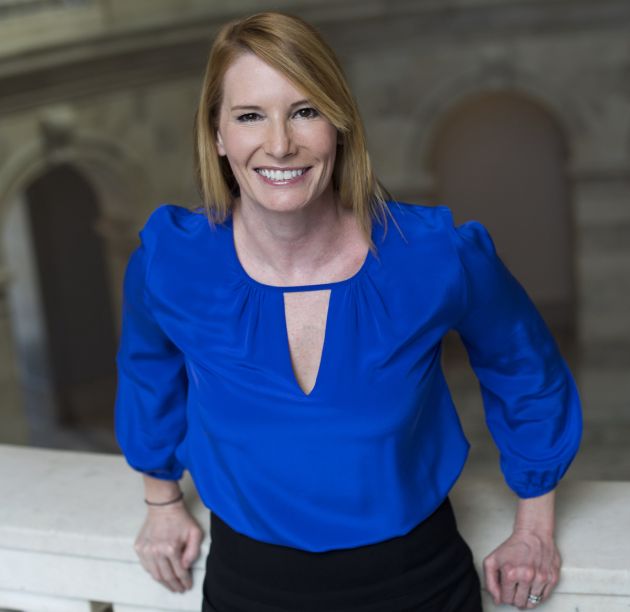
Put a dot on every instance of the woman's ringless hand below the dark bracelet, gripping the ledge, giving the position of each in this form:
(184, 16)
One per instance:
(168, 544)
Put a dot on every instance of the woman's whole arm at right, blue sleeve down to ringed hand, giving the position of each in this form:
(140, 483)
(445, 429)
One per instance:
(532, 410)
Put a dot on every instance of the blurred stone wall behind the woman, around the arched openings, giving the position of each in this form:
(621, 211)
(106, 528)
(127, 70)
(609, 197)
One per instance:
(110, 87)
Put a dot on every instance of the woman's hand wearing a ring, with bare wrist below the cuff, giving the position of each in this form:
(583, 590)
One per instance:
(524, 570)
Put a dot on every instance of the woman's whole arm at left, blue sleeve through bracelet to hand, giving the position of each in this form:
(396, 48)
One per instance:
(150, 426)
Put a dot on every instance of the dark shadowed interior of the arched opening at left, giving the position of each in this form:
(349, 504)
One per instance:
(75, 295)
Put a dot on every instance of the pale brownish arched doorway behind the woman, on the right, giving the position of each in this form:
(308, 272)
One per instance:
(500, 158)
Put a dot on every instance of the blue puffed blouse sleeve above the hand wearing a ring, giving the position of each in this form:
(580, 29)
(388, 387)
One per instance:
(530, 398)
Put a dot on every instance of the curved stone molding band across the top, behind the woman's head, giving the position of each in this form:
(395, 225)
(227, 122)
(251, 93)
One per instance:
(141, 53)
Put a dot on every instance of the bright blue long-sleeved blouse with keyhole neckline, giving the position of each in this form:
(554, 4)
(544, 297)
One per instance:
(206, 381)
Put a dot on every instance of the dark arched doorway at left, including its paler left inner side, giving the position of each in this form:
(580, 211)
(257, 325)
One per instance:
(72, 359)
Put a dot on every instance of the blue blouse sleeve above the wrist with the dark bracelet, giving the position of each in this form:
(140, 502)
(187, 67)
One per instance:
(150, 406)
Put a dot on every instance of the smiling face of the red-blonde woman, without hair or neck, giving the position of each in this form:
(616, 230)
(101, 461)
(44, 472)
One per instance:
(280, 149)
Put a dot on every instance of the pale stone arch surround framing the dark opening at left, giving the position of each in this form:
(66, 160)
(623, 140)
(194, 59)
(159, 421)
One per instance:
(118, 183)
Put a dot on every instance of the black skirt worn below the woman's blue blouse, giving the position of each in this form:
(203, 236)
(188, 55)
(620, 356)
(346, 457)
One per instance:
(429, 569)
